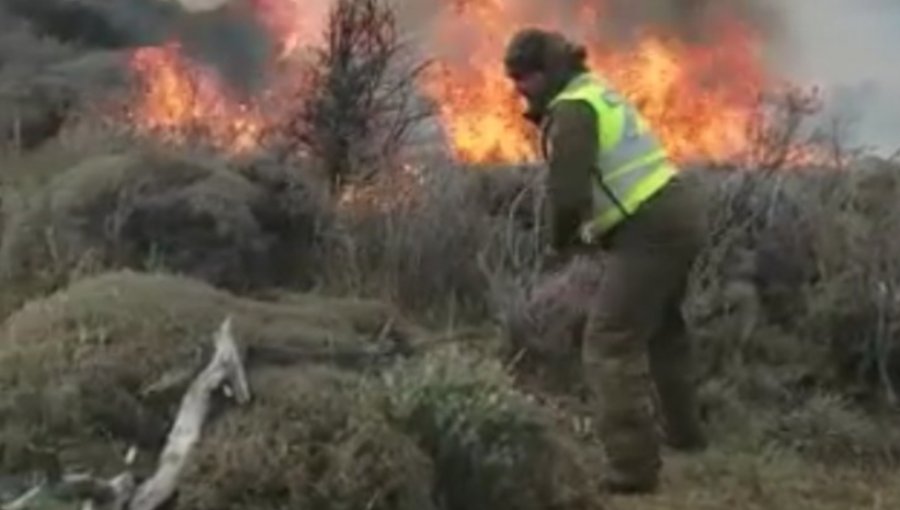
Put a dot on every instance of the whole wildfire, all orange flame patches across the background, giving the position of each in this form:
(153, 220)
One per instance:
(701, 98)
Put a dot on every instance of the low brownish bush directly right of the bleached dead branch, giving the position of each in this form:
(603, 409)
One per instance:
(311, 439)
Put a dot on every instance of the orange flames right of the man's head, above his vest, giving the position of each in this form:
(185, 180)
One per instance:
(700, 99)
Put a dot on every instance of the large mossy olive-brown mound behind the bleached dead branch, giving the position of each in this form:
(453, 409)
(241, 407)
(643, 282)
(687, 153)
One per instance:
(102, 365)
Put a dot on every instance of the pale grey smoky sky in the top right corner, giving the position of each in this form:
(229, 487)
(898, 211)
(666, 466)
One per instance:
(848, 48)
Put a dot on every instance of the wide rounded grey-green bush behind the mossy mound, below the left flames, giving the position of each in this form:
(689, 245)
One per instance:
(239, 229)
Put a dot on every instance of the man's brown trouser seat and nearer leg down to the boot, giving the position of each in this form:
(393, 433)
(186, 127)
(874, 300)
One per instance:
(648, 260)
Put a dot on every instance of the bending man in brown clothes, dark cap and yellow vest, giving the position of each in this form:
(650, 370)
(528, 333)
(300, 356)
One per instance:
(611, 187)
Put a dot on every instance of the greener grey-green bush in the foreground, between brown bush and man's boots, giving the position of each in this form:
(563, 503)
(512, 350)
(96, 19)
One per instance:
(492, 447)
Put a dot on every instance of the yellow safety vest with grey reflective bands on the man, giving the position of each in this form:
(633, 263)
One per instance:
(632, 164)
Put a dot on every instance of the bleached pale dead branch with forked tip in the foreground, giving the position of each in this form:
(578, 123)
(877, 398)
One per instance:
(225, 368)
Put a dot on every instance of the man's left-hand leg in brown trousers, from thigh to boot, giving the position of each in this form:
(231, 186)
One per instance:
(625, 313)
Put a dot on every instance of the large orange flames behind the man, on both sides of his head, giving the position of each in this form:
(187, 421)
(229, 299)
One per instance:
(700, 98)
